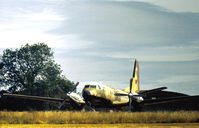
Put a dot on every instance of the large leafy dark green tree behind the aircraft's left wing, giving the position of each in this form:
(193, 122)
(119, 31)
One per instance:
(32, 70)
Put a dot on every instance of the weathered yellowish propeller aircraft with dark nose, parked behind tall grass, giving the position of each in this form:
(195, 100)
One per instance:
(100, 97)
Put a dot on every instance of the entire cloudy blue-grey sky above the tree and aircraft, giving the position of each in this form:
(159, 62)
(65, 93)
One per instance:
(98, 40)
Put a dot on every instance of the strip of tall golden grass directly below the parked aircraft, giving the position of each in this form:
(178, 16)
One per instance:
(70, 117)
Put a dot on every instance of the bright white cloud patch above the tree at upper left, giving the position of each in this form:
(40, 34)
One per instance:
(21, 24)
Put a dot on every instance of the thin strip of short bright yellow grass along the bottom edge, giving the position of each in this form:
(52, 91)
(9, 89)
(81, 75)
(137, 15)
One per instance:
(167, 125)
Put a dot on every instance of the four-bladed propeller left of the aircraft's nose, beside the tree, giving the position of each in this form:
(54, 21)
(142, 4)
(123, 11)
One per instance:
(68, 96)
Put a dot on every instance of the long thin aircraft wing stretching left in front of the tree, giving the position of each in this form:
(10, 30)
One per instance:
(38, 98)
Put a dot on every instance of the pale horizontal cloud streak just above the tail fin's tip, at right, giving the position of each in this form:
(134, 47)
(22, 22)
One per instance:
(160, 54)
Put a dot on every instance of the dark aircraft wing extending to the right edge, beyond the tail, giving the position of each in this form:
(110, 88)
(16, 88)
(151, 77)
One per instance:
(168, 100)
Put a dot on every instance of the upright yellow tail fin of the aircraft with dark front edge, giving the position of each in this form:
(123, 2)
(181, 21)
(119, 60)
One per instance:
(135, 80)
